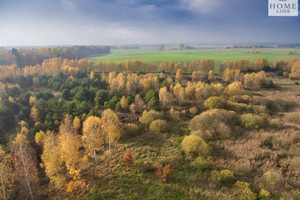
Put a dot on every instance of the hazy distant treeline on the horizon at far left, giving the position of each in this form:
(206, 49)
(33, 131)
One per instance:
(25, 57)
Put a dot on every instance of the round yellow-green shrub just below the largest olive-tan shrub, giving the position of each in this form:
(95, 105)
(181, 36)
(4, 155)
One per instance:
(194, 145)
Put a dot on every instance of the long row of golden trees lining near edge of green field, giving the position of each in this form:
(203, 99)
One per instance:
(230, 69)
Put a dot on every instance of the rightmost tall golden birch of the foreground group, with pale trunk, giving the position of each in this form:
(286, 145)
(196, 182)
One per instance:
(111, 126)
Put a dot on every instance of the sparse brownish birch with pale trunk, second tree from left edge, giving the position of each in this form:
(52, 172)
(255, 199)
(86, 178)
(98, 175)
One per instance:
(24, 162)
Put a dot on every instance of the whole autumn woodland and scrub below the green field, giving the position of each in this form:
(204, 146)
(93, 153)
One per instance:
(75, 129)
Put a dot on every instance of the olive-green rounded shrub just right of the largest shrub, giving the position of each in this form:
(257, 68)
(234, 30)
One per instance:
(251, 122)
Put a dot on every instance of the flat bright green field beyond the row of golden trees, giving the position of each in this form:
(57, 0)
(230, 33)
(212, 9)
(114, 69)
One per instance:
(219, 55)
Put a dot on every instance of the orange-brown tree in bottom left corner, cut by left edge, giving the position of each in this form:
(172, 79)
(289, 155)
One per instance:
(6, 174)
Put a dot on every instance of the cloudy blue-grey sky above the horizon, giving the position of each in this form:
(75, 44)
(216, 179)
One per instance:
(122, 22)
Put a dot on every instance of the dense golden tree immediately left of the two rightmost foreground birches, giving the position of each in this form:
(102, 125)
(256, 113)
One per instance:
(69, 143)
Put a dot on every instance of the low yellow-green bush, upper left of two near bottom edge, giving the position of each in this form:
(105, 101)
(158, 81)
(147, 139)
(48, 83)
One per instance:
(224, 177)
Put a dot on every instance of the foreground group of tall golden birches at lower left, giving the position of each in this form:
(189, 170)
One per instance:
(61, 153)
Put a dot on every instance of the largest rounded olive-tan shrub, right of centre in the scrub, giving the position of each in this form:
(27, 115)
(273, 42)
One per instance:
(215, 122)
